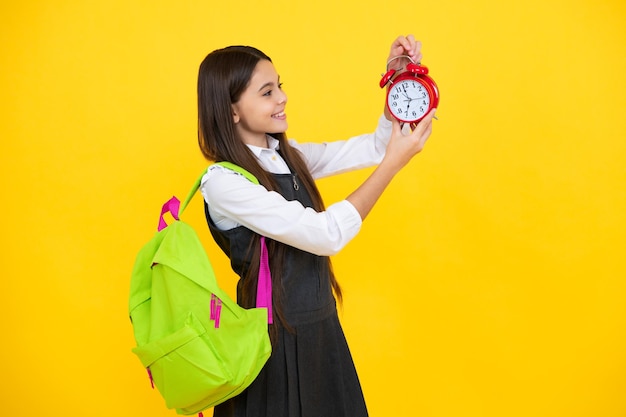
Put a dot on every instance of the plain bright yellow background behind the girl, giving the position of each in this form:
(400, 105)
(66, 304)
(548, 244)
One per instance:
(488, 281)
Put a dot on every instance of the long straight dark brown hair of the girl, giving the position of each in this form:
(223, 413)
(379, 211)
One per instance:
(223, 77)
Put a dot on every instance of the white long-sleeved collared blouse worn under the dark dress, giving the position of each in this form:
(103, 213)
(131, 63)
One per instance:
(234, 201)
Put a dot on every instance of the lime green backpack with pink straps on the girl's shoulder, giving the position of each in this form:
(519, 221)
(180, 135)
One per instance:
(199, 346)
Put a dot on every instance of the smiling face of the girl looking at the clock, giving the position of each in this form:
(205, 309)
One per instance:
(261, 107)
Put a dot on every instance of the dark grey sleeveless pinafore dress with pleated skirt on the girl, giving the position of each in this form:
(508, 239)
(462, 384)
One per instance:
(310, 372)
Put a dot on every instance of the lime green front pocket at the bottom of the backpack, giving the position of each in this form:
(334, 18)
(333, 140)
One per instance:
(185, 366)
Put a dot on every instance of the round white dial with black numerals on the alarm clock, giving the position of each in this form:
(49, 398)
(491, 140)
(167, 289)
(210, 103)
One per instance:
(408, 100)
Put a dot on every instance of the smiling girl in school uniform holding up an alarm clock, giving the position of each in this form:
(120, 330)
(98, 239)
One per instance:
(242, 120)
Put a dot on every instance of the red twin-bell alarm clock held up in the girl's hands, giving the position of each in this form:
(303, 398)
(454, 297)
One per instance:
(411, 94)
